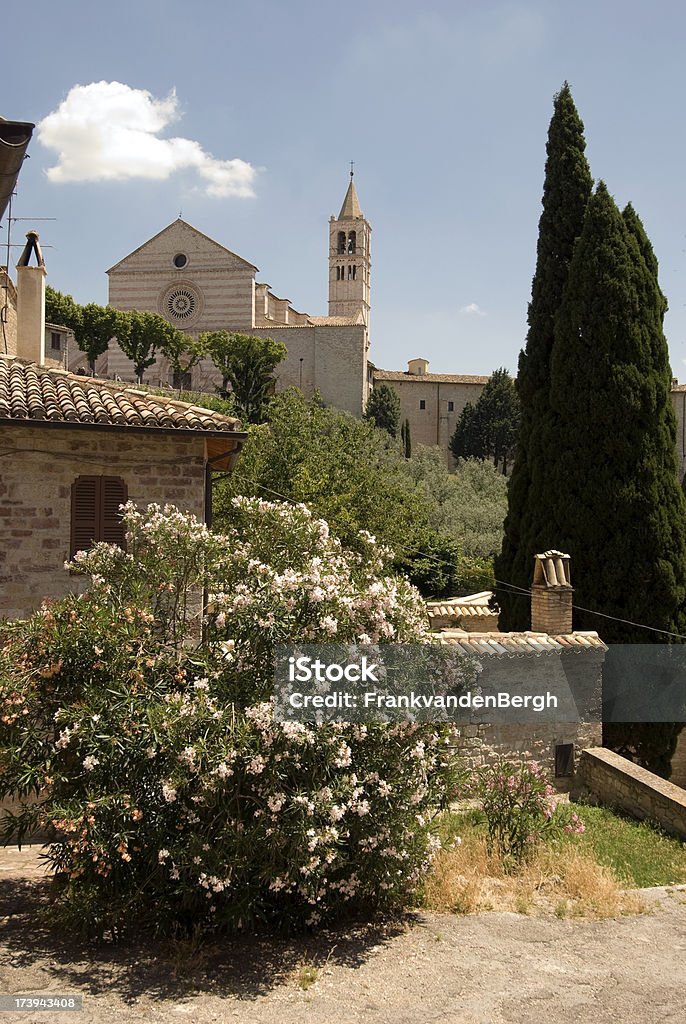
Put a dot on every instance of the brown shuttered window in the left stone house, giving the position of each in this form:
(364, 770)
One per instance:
(96, 515)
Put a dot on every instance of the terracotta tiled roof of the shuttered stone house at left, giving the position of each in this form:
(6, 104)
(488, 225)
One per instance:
(33, 394)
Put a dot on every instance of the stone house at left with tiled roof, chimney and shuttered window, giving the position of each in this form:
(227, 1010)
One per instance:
(75, 448)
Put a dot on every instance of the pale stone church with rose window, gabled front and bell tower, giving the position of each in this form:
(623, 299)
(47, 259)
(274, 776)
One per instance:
(199, 285)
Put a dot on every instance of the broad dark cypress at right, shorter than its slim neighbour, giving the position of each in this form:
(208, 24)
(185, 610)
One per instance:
(614, 496)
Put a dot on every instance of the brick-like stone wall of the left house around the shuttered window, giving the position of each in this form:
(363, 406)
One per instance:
(36, 497)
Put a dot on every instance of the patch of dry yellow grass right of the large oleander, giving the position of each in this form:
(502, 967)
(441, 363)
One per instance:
(566, 882)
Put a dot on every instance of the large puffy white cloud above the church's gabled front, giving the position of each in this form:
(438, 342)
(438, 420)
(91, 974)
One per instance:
(107, 132)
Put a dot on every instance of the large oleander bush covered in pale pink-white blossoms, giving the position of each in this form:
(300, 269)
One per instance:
(138, 730)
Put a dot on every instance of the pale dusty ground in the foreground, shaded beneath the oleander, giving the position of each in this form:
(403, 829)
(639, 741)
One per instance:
(493, 969)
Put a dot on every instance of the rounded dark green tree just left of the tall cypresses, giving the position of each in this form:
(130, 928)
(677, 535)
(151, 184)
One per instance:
(489, 430)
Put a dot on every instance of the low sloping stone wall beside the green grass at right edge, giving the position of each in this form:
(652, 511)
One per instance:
(618, 783)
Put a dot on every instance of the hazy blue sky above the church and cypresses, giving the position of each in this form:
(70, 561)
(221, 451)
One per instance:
(445, 111)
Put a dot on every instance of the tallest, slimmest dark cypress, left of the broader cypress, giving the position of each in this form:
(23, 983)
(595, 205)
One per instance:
(567, 192)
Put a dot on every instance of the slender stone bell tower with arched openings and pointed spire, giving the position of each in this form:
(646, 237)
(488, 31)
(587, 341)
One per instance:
(350, 261)
